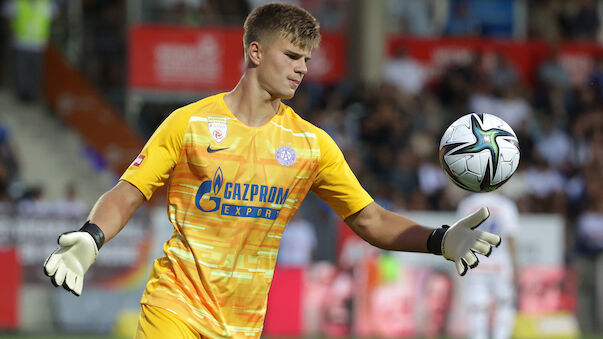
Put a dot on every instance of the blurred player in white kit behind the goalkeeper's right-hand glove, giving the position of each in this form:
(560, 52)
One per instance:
(494, 280)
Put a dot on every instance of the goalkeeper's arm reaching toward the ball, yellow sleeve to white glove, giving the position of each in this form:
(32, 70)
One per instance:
(338, 187)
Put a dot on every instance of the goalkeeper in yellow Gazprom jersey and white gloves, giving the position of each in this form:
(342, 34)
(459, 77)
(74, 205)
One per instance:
(240, 164)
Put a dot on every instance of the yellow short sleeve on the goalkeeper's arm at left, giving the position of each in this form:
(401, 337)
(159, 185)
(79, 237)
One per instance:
(151, 169)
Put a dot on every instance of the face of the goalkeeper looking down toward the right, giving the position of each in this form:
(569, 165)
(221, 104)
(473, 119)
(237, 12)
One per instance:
(282, 67)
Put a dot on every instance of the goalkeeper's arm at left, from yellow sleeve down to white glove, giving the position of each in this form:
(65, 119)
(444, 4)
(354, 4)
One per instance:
(78, 250)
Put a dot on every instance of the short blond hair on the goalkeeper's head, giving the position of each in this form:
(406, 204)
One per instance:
(290, 21)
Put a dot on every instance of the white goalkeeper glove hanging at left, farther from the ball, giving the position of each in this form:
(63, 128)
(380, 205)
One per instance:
(67, 265)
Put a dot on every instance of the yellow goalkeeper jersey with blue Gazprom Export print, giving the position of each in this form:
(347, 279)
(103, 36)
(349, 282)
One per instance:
(232, 190)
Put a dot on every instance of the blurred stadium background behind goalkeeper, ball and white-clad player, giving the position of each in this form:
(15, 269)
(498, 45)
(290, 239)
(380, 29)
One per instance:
(80, 98)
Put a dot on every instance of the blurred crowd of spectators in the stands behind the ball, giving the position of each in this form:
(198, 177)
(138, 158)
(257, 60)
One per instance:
(390, 132)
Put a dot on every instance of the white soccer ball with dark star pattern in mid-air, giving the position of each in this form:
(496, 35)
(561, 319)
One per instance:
(479, 152)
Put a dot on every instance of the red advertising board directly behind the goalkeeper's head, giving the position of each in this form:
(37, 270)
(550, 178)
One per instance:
(210, 58)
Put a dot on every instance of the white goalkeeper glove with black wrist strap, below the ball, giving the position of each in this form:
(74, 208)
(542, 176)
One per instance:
(461, 241)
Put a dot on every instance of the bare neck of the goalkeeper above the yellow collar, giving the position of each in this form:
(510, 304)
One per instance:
(250, 103)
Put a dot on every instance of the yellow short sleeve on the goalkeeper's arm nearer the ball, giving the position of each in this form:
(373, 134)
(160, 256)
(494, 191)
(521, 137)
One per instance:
(335, 183)
